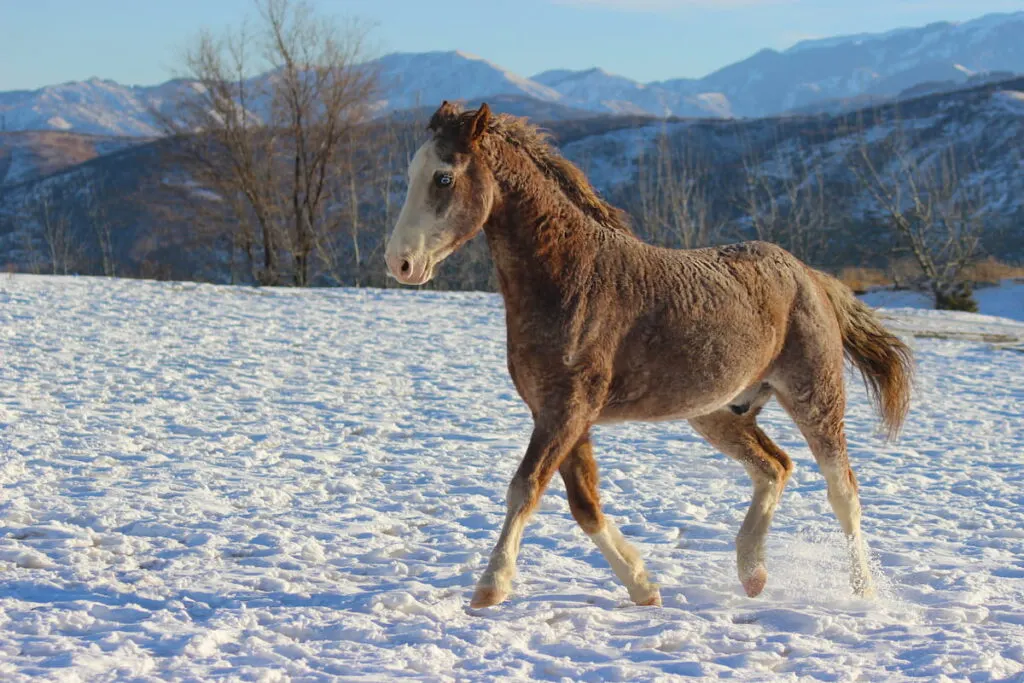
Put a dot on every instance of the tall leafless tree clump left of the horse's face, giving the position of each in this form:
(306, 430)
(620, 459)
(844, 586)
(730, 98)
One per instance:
(274, 116)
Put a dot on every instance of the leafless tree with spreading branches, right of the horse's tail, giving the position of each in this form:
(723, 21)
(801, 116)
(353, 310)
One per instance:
(935, 212)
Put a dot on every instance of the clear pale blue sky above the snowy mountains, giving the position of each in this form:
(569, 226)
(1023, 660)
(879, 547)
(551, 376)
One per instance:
(141, 41)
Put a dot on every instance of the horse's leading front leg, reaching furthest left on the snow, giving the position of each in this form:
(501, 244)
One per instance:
(554, 436)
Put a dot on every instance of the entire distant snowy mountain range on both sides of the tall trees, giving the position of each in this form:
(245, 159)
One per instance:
(828, 75)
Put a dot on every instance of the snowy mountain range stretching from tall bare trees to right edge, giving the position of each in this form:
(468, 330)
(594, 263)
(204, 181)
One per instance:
(831, 74)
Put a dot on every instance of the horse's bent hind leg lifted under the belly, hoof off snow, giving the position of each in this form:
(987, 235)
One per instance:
(770, 467)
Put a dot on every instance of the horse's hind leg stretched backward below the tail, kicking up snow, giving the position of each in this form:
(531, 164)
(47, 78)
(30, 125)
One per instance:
(817, 402)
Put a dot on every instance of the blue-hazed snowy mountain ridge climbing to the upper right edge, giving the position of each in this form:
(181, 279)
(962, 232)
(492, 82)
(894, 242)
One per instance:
(824, 74)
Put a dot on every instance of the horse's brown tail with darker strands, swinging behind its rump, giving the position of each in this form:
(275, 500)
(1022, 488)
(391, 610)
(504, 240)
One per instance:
(884, 361)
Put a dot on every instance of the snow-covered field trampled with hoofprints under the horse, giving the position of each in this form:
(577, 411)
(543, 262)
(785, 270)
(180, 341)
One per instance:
(208, 483)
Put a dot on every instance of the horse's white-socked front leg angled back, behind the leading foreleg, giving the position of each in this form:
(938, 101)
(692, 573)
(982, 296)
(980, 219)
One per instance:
(579, 472)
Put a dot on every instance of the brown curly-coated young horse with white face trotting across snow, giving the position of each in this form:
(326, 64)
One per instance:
(603, 328)
